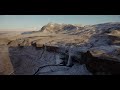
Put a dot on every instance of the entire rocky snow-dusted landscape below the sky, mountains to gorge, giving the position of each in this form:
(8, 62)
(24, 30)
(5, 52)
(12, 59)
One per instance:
(57, 49)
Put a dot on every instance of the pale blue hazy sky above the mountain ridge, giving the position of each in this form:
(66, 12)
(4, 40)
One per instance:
(37, 21)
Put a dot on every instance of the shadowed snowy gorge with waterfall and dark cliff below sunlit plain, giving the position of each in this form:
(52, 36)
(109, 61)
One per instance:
(52, 60)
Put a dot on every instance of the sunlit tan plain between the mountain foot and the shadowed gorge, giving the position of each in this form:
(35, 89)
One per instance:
(44, 38)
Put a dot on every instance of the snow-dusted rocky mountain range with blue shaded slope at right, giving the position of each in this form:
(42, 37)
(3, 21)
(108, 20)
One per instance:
(103, 34)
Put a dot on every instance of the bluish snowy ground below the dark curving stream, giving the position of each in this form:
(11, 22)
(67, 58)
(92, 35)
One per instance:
(76, 69)
